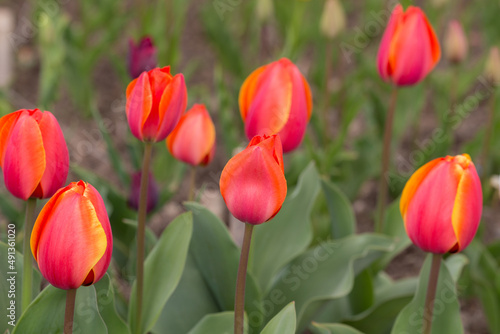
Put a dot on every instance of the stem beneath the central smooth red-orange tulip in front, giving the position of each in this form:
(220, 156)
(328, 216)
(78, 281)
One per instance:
(239, 301)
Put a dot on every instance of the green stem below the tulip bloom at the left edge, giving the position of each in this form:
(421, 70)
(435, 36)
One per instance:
(27, 257)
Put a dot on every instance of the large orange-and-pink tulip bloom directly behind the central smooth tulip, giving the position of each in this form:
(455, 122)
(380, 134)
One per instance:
(276, 99)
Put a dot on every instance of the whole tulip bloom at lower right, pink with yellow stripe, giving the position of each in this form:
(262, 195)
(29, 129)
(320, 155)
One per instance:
(442, 203)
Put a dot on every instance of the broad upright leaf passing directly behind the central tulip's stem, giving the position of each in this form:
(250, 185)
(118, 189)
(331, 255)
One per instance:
(217, 258)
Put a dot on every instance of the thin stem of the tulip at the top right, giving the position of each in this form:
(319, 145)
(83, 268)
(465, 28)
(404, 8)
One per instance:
(386, 150)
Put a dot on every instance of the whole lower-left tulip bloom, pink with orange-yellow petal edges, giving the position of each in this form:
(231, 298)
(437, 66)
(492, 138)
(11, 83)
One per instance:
(71, 240)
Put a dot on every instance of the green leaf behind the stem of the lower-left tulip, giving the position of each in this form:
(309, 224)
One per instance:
(46, 313)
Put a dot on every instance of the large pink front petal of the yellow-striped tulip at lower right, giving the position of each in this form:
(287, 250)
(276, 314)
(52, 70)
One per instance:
(429, 213)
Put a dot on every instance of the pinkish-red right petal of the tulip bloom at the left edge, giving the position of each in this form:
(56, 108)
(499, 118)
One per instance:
(56, 156)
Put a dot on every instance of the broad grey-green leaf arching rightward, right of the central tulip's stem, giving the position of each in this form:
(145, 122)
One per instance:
(324, 272)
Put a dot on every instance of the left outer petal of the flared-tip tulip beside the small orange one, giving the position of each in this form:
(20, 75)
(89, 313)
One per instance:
(139, 104)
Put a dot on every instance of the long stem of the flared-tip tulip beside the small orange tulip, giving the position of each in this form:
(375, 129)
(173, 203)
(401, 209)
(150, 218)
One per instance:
(141, 229)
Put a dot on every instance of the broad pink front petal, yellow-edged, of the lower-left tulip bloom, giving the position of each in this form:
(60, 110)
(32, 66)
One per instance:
(68, 249)
